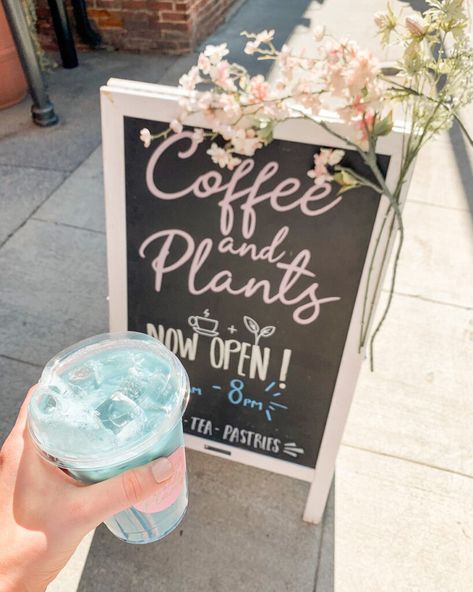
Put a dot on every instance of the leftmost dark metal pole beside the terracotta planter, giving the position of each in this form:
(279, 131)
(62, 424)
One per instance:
(42, 108)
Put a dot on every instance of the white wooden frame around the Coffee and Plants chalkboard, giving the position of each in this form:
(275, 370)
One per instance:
(121, 98)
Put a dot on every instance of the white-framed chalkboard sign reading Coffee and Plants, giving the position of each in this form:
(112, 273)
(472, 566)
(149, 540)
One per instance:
(252, 277)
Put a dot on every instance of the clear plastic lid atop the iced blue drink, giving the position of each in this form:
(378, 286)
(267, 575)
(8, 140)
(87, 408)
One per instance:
(106, 400)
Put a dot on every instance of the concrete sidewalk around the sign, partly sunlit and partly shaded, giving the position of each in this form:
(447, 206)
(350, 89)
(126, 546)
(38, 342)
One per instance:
(403, 518)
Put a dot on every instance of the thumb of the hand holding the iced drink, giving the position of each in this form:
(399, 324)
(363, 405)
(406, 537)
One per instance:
(109, 497)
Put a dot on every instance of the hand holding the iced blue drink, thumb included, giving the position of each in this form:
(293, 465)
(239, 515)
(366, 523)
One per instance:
(45, 513)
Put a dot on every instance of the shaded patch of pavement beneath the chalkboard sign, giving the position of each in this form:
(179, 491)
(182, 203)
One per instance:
(243, 532)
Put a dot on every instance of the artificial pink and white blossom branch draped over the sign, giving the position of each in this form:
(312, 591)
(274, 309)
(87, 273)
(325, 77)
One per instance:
(432, 82)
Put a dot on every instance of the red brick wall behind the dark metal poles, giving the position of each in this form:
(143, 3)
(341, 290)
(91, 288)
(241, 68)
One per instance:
(167, 26)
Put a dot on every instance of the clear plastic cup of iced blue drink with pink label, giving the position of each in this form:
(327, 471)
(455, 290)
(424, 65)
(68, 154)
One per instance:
(107, 404)
